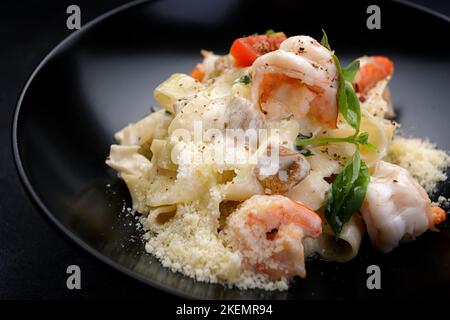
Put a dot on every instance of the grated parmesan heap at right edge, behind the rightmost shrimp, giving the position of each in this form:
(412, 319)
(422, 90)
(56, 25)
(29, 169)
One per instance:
(422, 159)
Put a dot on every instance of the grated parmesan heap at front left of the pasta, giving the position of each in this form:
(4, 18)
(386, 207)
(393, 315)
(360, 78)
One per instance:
(191, 244)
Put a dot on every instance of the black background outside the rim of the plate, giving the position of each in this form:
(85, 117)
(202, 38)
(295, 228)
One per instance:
(34, 255)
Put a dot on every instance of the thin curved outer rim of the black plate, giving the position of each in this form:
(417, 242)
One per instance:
(39, 203)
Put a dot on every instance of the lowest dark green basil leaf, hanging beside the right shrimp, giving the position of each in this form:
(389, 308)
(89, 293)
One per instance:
(347, 193)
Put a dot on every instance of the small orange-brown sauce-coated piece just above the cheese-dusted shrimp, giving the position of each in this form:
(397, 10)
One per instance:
(293, 168)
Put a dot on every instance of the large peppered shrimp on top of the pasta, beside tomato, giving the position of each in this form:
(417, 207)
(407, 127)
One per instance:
(298, 79)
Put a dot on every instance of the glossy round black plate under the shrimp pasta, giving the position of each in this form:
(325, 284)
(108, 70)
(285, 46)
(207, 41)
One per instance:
(101, 78)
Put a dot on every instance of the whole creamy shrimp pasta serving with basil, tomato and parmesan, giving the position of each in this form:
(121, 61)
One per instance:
(271, 155)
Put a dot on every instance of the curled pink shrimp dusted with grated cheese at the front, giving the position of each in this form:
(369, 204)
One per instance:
(268, 232)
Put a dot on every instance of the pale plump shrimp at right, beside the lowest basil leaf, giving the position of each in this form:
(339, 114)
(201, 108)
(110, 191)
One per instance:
(397, 208)
